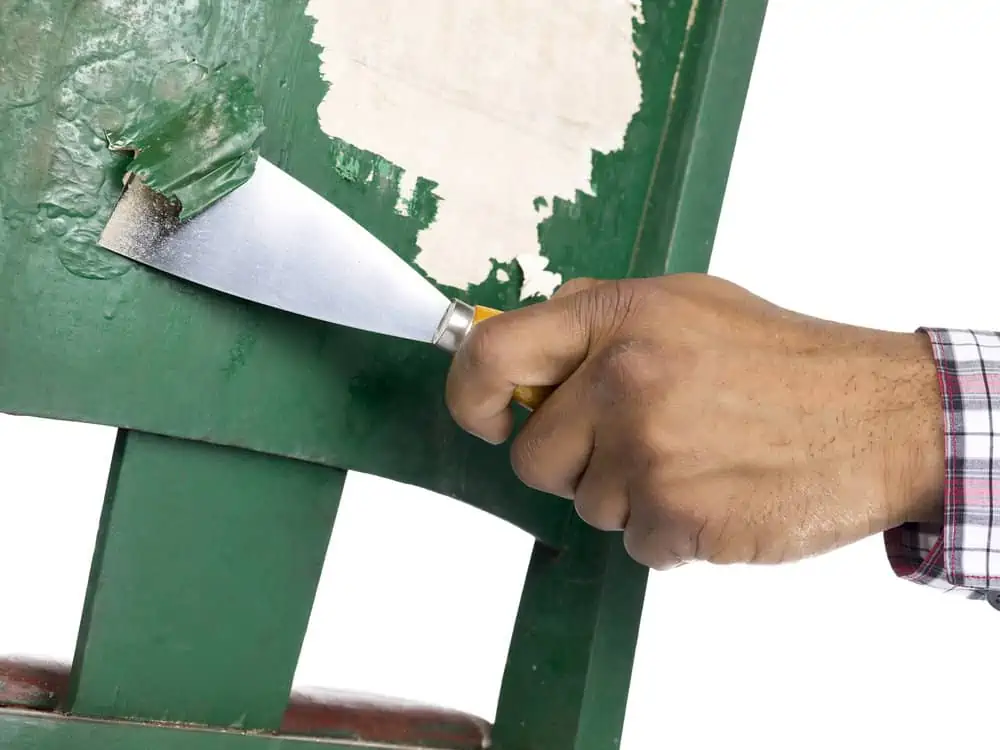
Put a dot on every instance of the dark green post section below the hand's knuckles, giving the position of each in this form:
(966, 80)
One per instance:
(570, 661)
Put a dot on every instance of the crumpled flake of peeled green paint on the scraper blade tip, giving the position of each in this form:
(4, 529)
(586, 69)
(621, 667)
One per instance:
(195, 138)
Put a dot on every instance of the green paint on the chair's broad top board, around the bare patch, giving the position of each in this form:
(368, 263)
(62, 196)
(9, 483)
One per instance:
(89, 336)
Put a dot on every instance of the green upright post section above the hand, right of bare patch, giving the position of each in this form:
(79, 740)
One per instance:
(689, 183)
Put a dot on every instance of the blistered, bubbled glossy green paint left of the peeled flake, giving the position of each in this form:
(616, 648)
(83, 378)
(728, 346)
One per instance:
(69, 73)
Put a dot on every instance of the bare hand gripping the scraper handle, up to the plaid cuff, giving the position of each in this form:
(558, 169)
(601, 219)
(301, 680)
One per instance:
(708, 423)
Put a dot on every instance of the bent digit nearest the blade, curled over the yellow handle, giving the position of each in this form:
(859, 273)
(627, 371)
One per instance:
(538, 345)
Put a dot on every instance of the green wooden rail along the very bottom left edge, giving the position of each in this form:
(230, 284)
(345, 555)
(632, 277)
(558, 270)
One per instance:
(36, 730)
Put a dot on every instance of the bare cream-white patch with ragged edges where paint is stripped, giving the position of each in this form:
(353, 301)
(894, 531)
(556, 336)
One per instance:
(497, 101)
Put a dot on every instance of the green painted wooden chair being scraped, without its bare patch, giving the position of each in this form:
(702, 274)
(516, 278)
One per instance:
(237, 424)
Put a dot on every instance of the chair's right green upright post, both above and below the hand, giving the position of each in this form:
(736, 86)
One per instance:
(567, 679)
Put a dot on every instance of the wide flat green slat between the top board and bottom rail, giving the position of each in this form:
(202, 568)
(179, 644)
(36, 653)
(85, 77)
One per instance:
(205, 571)
